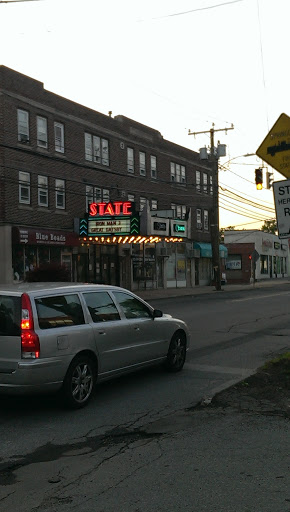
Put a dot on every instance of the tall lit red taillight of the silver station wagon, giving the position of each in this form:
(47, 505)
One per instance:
(29, 340)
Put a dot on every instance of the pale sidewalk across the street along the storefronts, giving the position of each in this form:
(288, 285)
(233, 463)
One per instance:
(153, 294)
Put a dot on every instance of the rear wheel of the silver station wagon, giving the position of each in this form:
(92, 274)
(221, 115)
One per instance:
(79, 382)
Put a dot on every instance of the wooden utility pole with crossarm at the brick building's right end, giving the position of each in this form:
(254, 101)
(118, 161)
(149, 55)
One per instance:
(214, 214)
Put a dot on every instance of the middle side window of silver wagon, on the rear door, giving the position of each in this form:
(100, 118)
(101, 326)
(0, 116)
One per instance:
(101, 307)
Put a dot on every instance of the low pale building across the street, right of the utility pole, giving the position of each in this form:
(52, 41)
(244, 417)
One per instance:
(255, 255)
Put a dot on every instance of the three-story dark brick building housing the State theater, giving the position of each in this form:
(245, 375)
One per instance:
(57, 157)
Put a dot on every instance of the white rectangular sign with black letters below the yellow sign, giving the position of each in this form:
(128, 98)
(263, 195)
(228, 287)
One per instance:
(282, 205)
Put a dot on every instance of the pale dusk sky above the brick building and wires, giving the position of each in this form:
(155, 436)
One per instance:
(172, 65)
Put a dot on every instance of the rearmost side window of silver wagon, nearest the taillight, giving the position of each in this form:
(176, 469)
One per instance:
(59, 311)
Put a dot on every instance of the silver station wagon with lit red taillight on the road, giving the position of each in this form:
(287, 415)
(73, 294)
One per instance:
(66, 337)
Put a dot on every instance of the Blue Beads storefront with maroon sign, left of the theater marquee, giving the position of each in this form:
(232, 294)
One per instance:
(34, 247)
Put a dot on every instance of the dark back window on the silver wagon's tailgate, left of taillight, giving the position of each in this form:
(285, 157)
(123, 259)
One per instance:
(10, 313)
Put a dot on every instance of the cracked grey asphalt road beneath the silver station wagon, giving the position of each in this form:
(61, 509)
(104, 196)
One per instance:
(137, 446)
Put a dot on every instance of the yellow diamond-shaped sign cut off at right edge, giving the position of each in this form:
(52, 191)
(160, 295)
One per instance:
(275, 148)
